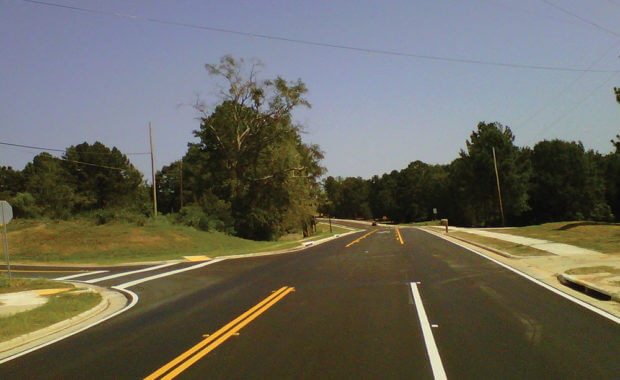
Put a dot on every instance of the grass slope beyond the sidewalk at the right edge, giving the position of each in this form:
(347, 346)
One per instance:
(604, 238)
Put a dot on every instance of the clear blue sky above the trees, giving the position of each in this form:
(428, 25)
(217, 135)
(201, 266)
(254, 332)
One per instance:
(68, 76)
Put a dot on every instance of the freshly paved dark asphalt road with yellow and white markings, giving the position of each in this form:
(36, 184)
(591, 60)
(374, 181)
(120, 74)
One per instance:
(351, 315)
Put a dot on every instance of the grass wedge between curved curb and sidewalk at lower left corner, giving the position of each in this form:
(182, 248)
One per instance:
(58, 308)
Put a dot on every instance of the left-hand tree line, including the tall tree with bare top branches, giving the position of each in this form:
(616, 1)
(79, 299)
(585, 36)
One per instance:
(248, 173)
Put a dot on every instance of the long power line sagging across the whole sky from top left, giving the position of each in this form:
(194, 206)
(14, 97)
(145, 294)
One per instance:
(321, 44)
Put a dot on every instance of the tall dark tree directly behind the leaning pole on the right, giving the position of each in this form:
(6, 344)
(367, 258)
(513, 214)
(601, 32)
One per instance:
(474, 179)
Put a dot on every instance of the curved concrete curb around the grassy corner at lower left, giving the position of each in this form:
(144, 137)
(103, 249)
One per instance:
(109, 304)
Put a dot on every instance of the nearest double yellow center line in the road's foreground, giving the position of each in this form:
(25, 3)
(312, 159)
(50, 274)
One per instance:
(191, 356)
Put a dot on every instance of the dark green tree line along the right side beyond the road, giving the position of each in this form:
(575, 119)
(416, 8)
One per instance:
(553, 181)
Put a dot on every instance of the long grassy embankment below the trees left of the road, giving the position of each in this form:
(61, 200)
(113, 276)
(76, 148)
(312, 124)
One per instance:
(81, 241)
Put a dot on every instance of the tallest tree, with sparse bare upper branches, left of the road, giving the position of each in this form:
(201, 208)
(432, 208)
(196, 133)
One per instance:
(250, 154)
